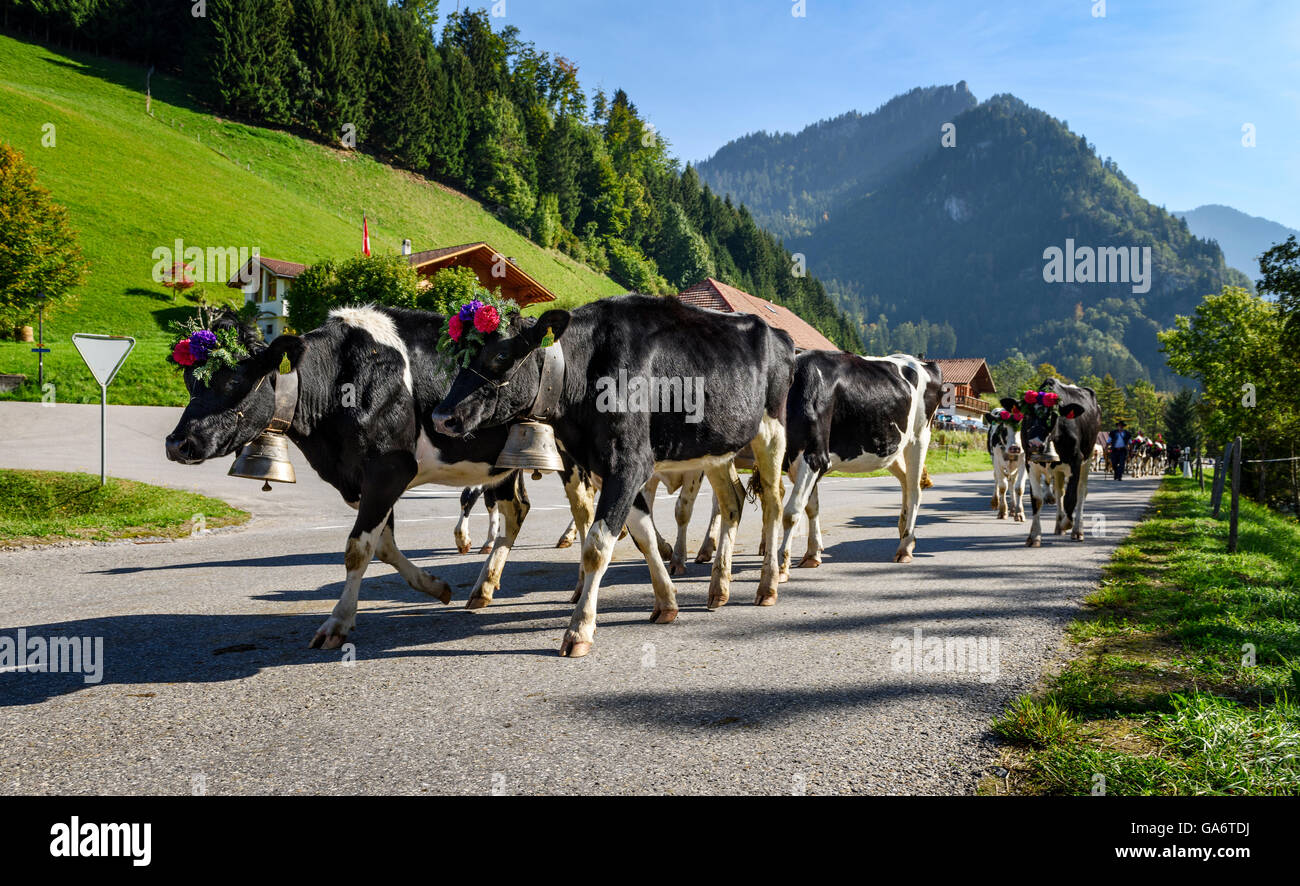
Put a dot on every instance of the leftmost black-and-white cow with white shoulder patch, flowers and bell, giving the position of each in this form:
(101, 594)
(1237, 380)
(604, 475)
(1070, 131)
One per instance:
(367, 384)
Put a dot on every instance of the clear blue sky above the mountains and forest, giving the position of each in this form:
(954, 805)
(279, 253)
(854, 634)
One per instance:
(1162, 86)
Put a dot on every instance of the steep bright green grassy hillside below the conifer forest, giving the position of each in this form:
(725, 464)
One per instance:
(135, 183)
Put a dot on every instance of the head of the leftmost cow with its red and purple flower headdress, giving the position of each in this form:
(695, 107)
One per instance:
(236, 405)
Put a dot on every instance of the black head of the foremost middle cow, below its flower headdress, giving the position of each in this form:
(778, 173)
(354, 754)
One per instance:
(501, 381)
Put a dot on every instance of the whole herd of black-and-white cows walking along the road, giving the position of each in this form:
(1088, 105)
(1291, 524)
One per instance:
(414, 419)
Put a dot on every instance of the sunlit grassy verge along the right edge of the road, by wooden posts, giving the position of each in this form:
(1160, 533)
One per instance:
(1188, 670)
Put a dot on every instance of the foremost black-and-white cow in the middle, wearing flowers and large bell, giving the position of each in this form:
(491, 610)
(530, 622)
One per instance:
(740, 367)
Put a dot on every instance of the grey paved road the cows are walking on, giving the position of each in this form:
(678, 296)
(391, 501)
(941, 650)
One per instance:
(209, 679)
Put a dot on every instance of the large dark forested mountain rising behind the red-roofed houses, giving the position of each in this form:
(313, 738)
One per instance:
(946, 250)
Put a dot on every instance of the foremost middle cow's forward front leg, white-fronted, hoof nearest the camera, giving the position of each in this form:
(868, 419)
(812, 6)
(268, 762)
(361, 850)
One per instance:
(618, 493)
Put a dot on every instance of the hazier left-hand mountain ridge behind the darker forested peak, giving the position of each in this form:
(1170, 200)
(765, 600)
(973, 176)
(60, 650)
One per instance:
(791, 181)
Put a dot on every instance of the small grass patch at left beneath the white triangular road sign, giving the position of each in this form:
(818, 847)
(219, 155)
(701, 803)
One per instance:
(41, 507)
